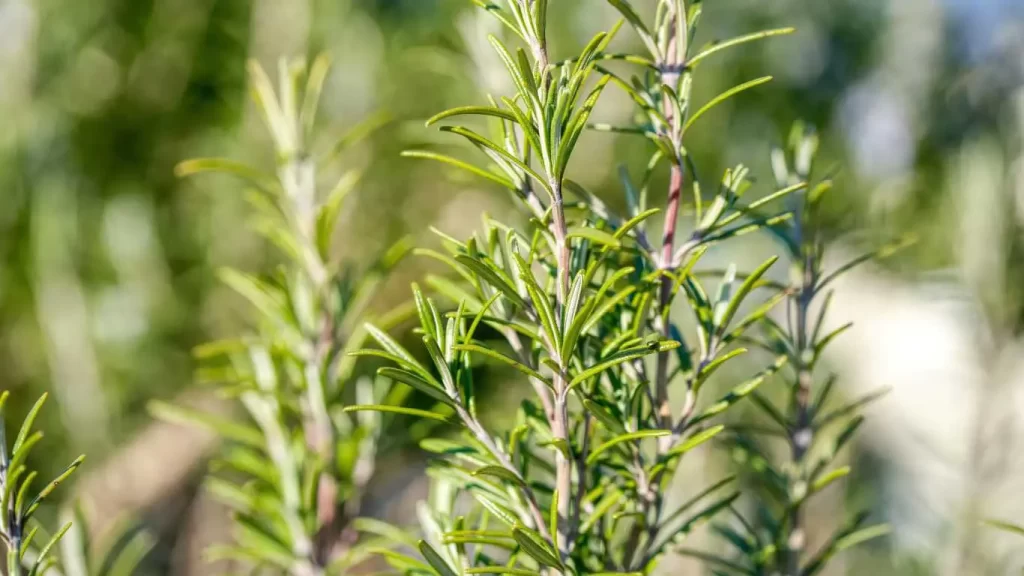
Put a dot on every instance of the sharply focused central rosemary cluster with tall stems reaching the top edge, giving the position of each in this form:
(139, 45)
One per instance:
(579, 300)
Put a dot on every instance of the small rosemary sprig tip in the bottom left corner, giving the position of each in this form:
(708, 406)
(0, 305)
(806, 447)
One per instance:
(19, 502)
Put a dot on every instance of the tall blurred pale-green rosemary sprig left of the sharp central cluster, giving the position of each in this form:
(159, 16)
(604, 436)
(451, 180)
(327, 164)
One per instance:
(296, 475)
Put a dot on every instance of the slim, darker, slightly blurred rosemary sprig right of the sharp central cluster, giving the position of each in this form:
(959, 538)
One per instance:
(815, 431)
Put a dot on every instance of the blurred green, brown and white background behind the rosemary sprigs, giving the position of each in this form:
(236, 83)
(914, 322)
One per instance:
(107, 261)
